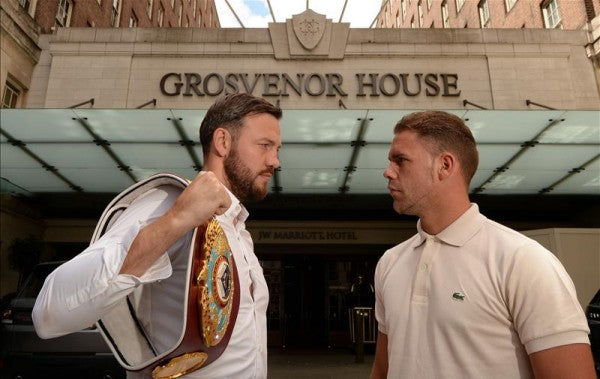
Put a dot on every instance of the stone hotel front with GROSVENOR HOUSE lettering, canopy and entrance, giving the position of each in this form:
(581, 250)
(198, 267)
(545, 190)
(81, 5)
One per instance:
(528, 95)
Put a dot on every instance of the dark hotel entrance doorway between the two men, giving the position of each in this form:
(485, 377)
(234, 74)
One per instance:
(311, 295)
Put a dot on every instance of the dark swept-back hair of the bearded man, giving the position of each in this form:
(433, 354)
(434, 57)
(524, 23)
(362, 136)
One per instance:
(229, 111)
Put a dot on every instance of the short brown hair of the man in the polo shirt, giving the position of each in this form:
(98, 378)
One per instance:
(445, 132)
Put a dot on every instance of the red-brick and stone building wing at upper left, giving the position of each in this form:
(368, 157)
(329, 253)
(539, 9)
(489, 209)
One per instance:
(24, 20)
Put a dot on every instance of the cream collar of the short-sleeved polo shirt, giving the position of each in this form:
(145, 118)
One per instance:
(460, 231)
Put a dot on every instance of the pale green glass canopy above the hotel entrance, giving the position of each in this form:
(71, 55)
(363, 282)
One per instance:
(324, 151)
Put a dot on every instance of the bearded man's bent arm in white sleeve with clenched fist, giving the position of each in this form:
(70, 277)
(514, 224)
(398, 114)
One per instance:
(83, 289)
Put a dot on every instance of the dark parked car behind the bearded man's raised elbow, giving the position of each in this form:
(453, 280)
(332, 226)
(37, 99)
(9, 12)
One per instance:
(23, 354)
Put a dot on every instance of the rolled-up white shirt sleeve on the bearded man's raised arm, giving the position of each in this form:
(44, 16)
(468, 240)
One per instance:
(83, 289)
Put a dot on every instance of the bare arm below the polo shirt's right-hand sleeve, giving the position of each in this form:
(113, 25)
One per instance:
(567, 361)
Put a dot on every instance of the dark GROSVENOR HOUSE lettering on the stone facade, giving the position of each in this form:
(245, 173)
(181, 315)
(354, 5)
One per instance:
(311, 84)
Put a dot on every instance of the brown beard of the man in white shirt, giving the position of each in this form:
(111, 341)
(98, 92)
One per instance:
(241, 179)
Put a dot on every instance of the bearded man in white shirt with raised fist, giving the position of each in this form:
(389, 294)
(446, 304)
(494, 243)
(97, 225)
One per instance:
(240, 138)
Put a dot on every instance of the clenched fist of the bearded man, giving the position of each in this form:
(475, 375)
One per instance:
(204, 198)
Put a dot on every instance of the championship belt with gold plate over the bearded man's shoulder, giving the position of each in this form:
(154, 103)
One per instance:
(209, 310)
